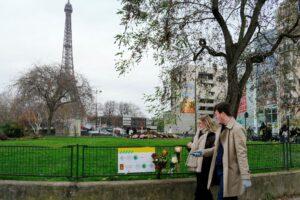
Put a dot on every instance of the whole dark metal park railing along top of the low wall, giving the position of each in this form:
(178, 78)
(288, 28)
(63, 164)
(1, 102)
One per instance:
(80, 161)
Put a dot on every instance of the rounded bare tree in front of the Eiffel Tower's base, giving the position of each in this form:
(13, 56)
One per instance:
(55, 88)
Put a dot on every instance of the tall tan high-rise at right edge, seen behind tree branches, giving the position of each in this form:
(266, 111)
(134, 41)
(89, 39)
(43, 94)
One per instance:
(289, 64)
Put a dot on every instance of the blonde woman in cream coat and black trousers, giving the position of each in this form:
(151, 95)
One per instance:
(204, 141)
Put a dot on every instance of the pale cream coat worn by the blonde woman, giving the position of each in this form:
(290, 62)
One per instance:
(195, 163)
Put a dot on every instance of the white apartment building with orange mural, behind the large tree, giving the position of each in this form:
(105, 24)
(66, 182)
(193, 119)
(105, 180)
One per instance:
(198, 95)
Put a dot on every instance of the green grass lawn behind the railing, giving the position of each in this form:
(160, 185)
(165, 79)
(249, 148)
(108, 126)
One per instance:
(55, 156)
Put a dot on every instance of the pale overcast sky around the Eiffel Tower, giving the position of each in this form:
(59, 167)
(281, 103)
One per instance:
(32, 32)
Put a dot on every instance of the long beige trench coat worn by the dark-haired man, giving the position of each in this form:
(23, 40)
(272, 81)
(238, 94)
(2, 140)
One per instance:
(235, 161)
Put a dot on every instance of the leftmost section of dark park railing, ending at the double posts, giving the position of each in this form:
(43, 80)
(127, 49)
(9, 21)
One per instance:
(36, 161)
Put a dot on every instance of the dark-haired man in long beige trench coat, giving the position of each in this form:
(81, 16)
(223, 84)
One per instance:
(231, 169)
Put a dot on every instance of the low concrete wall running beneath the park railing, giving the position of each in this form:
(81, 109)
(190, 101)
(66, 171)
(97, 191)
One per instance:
(265, 186)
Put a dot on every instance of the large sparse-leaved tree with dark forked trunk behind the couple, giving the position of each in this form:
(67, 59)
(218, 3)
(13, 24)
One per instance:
(182, 32)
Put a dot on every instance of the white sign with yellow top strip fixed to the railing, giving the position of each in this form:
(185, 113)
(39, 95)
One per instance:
(135, 160)
